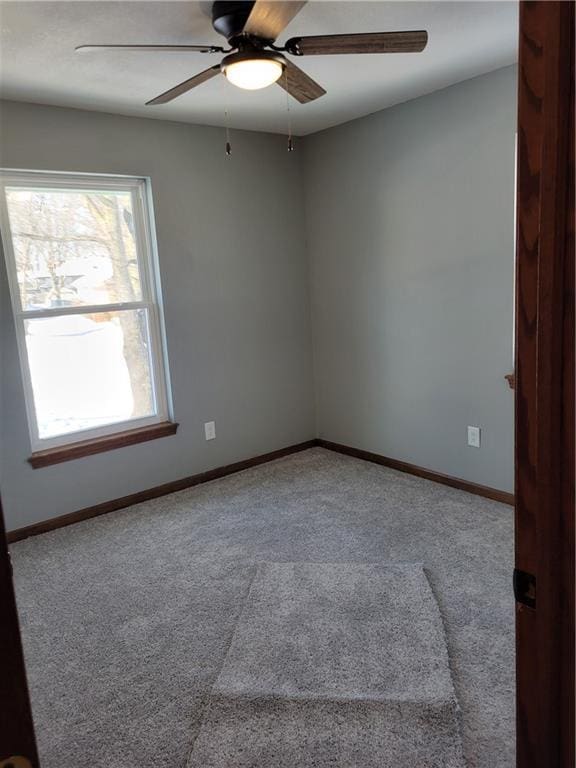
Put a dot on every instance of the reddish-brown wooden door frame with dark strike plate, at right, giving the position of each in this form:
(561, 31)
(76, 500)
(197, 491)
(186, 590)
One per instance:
(544, 394)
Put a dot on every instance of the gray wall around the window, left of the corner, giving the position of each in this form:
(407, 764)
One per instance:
(234, 277)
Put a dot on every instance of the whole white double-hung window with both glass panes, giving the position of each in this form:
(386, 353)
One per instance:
(86, 304)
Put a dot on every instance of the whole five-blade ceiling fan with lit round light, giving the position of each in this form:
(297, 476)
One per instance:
(253, 61)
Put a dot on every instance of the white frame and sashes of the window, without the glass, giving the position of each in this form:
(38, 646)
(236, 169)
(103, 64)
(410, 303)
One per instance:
(147, 256)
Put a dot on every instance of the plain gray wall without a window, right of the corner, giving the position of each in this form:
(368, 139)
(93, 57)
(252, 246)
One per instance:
(410, 228)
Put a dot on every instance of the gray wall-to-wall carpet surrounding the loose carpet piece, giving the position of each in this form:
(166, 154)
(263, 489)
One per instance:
(127, 618)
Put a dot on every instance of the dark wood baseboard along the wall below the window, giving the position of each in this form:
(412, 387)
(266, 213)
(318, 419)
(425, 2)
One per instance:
(152, 493)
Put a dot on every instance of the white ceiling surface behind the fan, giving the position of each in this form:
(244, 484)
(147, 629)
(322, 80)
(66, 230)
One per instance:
(38, 63)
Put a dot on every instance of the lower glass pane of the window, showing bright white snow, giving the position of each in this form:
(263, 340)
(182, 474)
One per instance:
(90, 370)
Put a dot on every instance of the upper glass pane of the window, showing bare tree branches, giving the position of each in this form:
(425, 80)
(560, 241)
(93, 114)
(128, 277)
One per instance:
(73, 247)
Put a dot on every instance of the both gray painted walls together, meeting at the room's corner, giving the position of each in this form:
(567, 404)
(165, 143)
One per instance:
(409, 234)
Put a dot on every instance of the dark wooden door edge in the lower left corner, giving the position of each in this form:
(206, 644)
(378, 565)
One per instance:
(16, 726)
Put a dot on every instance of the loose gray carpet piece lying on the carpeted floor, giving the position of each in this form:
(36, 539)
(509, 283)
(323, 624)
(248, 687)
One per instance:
(334, 666)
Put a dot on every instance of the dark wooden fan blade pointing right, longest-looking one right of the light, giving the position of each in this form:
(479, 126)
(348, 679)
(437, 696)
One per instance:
(371, 42)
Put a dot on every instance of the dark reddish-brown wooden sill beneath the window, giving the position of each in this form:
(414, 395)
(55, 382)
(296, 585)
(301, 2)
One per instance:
(101, 444)
